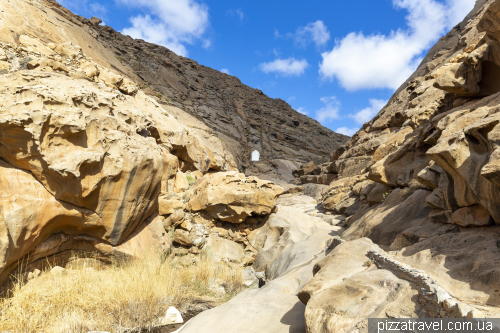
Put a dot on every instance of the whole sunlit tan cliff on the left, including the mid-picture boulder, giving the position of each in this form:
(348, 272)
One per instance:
(91, 163)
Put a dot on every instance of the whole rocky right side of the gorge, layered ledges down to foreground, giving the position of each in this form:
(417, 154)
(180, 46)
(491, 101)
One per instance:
(420, 182)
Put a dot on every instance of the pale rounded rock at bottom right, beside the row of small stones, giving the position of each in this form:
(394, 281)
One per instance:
(347, 289)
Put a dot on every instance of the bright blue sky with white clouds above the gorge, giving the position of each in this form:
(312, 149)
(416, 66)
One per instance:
(336, 61)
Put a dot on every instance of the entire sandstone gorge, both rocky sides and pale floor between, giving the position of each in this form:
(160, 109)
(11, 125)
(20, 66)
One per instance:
(406, 224)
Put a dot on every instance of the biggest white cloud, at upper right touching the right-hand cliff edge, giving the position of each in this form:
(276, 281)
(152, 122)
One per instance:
(361, 61)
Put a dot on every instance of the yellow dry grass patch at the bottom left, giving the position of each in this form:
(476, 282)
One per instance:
(125, 298)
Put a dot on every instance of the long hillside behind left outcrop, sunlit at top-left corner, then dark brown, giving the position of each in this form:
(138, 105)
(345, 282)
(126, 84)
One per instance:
(244, 118)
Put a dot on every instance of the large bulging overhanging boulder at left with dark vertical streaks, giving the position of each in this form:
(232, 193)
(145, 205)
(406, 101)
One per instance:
(59, 129)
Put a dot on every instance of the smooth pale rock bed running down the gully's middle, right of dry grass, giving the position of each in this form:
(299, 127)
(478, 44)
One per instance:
(289, 244)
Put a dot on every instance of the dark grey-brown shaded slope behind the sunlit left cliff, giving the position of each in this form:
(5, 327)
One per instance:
(245, 117)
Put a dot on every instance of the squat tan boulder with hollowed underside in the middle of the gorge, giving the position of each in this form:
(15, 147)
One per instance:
(232, 197)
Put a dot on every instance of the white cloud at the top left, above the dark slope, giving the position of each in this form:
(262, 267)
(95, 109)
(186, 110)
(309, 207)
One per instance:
(174, 24)
